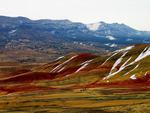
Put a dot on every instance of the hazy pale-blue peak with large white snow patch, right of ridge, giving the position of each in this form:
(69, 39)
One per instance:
(113, 29)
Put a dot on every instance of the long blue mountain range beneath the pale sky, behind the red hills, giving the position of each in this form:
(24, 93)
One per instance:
(64, 36)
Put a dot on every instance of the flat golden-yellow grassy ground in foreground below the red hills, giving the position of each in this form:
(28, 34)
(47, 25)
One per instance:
(98, 100)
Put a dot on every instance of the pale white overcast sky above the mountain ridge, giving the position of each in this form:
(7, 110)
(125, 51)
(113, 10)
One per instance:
(135, 13)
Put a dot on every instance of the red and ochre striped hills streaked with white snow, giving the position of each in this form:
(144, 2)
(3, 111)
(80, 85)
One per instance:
(126, 67)
